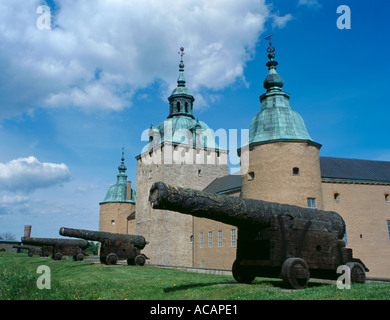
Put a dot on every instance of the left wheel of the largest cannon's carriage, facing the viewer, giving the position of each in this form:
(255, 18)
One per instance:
(295, 273)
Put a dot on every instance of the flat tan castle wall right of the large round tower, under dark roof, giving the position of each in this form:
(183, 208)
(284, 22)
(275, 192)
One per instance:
(366, 211)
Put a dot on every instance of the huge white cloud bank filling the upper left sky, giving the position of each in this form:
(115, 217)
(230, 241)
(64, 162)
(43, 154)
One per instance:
(99, 52)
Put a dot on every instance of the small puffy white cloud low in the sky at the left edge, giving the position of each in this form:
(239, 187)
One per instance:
(29, 174)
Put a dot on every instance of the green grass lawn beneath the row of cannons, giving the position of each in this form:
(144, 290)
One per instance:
(72, 280)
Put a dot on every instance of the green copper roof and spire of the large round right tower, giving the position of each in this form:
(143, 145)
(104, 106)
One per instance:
(276, 120)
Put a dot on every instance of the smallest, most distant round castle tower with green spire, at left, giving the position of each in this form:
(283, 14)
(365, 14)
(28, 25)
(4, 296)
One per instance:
(118, 207)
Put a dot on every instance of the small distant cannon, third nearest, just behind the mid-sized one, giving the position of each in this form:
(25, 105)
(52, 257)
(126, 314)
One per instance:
(59, 247)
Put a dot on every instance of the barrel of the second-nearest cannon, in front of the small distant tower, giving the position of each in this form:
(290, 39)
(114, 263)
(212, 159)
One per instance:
(138, 241)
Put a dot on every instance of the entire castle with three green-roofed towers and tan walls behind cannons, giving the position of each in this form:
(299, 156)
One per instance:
(282, 164)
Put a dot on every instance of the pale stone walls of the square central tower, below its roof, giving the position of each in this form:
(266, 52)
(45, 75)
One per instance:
(170, 234)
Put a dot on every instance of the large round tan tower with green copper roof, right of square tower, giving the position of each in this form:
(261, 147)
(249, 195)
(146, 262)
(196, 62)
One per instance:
(284, 164)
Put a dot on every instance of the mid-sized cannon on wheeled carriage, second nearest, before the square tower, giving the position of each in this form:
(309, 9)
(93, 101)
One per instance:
(114, 246)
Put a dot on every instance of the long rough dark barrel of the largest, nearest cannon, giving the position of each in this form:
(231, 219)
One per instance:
(239, 212)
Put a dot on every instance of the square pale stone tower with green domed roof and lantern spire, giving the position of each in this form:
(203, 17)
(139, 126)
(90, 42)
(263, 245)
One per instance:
(182, 152)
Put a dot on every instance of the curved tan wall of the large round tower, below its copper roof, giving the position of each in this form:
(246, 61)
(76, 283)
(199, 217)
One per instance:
(285, 172)
